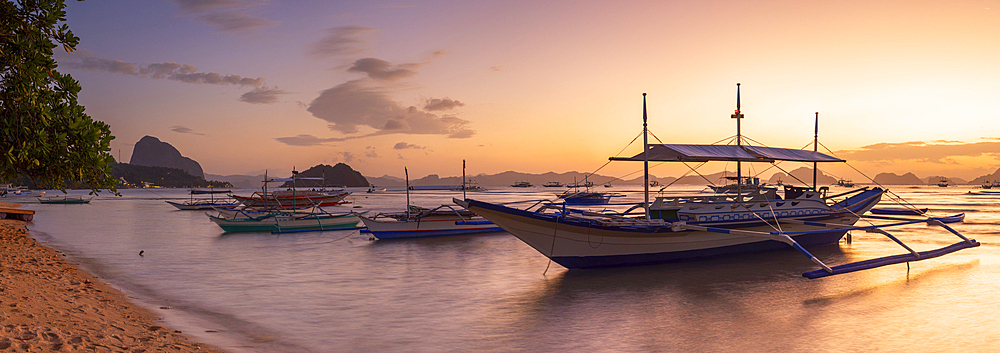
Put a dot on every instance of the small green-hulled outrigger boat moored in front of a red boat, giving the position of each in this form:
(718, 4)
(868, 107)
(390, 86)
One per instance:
(276, 221)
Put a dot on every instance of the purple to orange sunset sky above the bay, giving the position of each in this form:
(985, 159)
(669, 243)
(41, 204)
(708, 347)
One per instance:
(536, 86)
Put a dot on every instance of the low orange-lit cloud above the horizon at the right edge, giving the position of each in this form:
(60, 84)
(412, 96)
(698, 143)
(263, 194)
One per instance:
(936, 152)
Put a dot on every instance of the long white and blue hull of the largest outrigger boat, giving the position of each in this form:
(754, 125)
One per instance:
(576, 243)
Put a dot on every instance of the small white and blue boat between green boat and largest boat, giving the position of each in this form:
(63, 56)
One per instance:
(423, 222)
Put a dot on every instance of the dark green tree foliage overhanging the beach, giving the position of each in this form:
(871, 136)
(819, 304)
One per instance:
(44, 132)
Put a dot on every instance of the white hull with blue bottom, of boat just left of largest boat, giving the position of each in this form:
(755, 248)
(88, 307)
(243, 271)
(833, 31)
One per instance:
(428, 227)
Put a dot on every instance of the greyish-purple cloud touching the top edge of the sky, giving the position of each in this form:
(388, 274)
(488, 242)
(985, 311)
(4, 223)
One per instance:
(225, 15)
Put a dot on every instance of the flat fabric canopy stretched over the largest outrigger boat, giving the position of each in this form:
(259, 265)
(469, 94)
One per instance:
(733, 153)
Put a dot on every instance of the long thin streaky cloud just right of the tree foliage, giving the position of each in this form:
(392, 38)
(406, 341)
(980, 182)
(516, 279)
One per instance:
(168, 70)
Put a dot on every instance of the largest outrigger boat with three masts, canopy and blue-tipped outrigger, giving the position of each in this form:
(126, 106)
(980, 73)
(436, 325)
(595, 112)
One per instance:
(683, 228)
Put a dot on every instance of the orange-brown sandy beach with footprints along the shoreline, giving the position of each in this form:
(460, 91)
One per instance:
(50, 305)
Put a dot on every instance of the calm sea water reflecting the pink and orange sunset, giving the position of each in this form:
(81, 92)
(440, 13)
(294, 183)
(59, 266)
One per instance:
(340, 291)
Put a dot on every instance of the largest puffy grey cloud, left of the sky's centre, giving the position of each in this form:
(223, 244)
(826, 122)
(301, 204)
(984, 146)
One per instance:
(354, 103)
